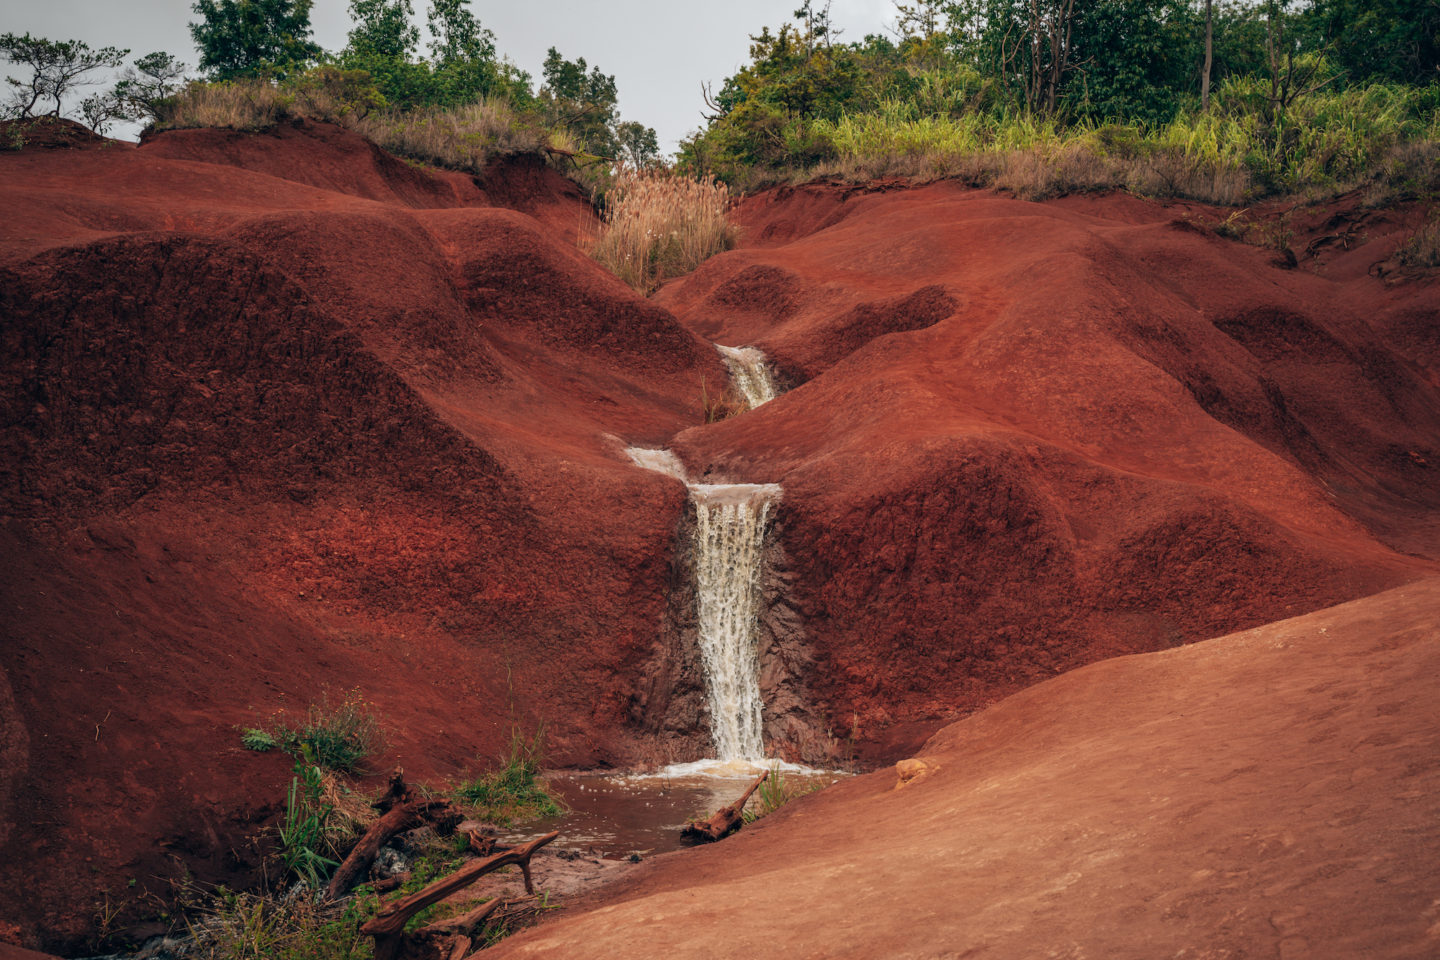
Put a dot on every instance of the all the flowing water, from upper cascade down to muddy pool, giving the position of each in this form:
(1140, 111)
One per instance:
(644, 812)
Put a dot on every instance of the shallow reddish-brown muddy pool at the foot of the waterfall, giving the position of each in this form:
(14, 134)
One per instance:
(617, 815)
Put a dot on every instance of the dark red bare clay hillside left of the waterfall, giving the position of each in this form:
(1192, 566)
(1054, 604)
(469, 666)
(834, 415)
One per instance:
(282, 415)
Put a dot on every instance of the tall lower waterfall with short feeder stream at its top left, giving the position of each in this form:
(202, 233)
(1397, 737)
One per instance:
(729, 561)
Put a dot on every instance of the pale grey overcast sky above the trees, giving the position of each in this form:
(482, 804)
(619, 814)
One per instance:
(660, 51)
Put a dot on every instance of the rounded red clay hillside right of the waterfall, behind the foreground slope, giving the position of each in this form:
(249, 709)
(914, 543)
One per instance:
(1026, 437)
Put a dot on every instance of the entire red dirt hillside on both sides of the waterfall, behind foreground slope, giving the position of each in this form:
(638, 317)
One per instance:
(280, 414)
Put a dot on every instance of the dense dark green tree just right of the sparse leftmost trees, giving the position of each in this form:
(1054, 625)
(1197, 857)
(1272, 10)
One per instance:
(253, 38)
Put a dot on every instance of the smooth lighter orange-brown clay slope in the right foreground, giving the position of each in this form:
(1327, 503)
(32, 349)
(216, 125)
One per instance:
(1271, 794)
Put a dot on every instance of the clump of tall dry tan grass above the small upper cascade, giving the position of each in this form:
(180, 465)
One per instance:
(657, 227)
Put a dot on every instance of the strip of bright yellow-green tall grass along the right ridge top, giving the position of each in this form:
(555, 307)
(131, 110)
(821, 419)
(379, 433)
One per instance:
(1242, 149)
